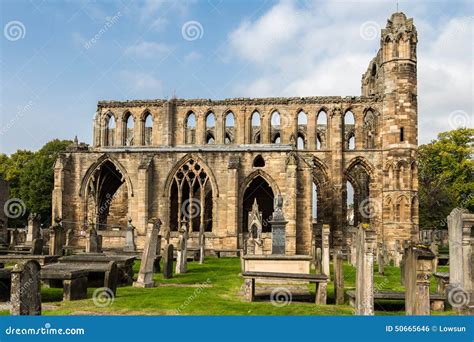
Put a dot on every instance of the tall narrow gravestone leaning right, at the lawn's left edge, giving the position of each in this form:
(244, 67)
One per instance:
(145, 276)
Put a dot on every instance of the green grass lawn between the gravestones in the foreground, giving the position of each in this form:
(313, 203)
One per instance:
(185, 295)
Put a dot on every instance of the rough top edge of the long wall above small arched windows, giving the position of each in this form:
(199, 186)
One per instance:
(241, 101)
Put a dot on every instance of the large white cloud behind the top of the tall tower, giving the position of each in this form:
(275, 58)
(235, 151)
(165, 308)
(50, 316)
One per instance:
(318, 50)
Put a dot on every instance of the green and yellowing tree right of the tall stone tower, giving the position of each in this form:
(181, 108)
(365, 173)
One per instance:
(446, 176)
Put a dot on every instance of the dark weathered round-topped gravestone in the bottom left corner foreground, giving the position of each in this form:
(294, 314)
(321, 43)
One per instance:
(26, 288)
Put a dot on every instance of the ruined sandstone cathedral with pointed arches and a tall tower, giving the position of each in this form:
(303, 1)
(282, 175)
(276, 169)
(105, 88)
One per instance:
(335, 160)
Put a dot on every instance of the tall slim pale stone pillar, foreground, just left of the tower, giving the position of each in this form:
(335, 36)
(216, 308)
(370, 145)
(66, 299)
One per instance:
(366, 245)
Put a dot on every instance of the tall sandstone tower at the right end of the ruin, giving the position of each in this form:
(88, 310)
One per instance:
(392, 76)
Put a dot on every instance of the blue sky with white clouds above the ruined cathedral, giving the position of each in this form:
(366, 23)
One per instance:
(52, 74)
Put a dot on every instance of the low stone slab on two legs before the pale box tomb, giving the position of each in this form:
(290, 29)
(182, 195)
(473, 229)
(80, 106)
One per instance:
(320, 280)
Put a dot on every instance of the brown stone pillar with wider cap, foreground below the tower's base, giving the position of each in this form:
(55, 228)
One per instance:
(418, 270)
